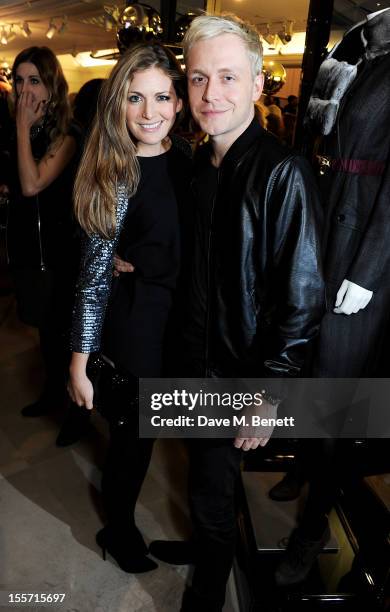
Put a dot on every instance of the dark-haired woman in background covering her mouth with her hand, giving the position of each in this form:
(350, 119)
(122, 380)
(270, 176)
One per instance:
(39, 179)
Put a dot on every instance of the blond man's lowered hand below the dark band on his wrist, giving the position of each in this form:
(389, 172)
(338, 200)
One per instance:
(252, 436)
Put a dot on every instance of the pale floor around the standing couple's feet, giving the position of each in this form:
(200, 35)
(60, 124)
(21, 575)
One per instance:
(50, 503)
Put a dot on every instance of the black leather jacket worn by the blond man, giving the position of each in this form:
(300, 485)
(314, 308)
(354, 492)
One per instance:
(265, 286)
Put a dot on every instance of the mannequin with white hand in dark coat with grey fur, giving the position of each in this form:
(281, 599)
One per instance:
(349, 108)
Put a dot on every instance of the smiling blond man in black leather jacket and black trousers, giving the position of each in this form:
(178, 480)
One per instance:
(256, 290)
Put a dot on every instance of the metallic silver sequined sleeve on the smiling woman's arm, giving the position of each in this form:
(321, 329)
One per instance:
(94, 284)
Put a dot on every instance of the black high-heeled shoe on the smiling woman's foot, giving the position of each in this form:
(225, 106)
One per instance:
(128, 551)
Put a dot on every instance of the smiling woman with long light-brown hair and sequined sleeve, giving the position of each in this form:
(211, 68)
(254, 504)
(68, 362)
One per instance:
(128, 194)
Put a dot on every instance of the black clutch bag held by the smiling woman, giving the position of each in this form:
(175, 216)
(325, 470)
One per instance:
(115, 391)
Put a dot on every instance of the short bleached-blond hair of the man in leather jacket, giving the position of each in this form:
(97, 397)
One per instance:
(209, 26)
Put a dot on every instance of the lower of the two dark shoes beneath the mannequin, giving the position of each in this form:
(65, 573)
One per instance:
(299, 558)
